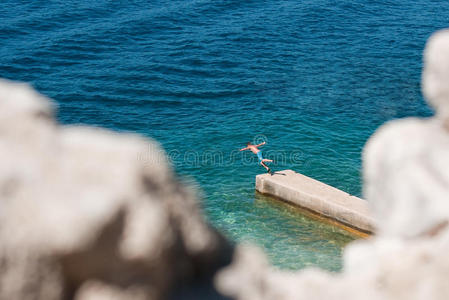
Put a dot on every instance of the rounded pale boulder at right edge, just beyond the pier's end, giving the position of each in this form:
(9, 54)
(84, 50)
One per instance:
(406, 178)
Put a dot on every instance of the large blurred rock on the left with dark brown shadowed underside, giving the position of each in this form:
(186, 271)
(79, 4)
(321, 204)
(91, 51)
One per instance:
(89, 214)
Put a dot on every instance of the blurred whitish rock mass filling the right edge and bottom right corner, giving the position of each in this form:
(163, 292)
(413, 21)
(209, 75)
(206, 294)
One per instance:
(406, 181)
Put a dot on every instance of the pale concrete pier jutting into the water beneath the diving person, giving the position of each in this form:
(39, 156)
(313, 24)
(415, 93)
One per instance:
(317, 197)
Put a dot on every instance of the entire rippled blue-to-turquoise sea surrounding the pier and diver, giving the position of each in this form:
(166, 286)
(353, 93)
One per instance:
(312, 78)
